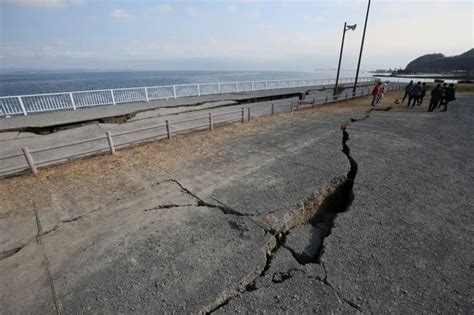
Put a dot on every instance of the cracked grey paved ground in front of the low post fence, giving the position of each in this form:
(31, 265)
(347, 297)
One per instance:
(223, 228)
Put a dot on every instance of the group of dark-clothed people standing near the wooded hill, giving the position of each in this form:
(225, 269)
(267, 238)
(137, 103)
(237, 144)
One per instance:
(440, 95)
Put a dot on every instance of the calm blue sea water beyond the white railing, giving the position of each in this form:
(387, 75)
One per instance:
(37, 82)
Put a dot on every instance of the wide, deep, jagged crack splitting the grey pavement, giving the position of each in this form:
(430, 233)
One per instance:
(320, 210)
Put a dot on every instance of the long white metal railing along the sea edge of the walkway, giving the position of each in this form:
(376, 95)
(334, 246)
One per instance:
(27, 104)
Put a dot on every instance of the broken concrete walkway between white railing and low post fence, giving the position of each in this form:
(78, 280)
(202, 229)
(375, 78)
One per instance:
(53, 129)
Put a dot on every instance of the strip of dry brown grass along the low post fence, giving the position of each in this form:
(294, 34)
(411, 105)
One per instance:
(104, 178)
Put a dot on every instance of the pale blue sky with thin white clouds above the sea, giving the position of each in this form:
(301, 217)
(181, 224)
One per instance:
(227, 35)
